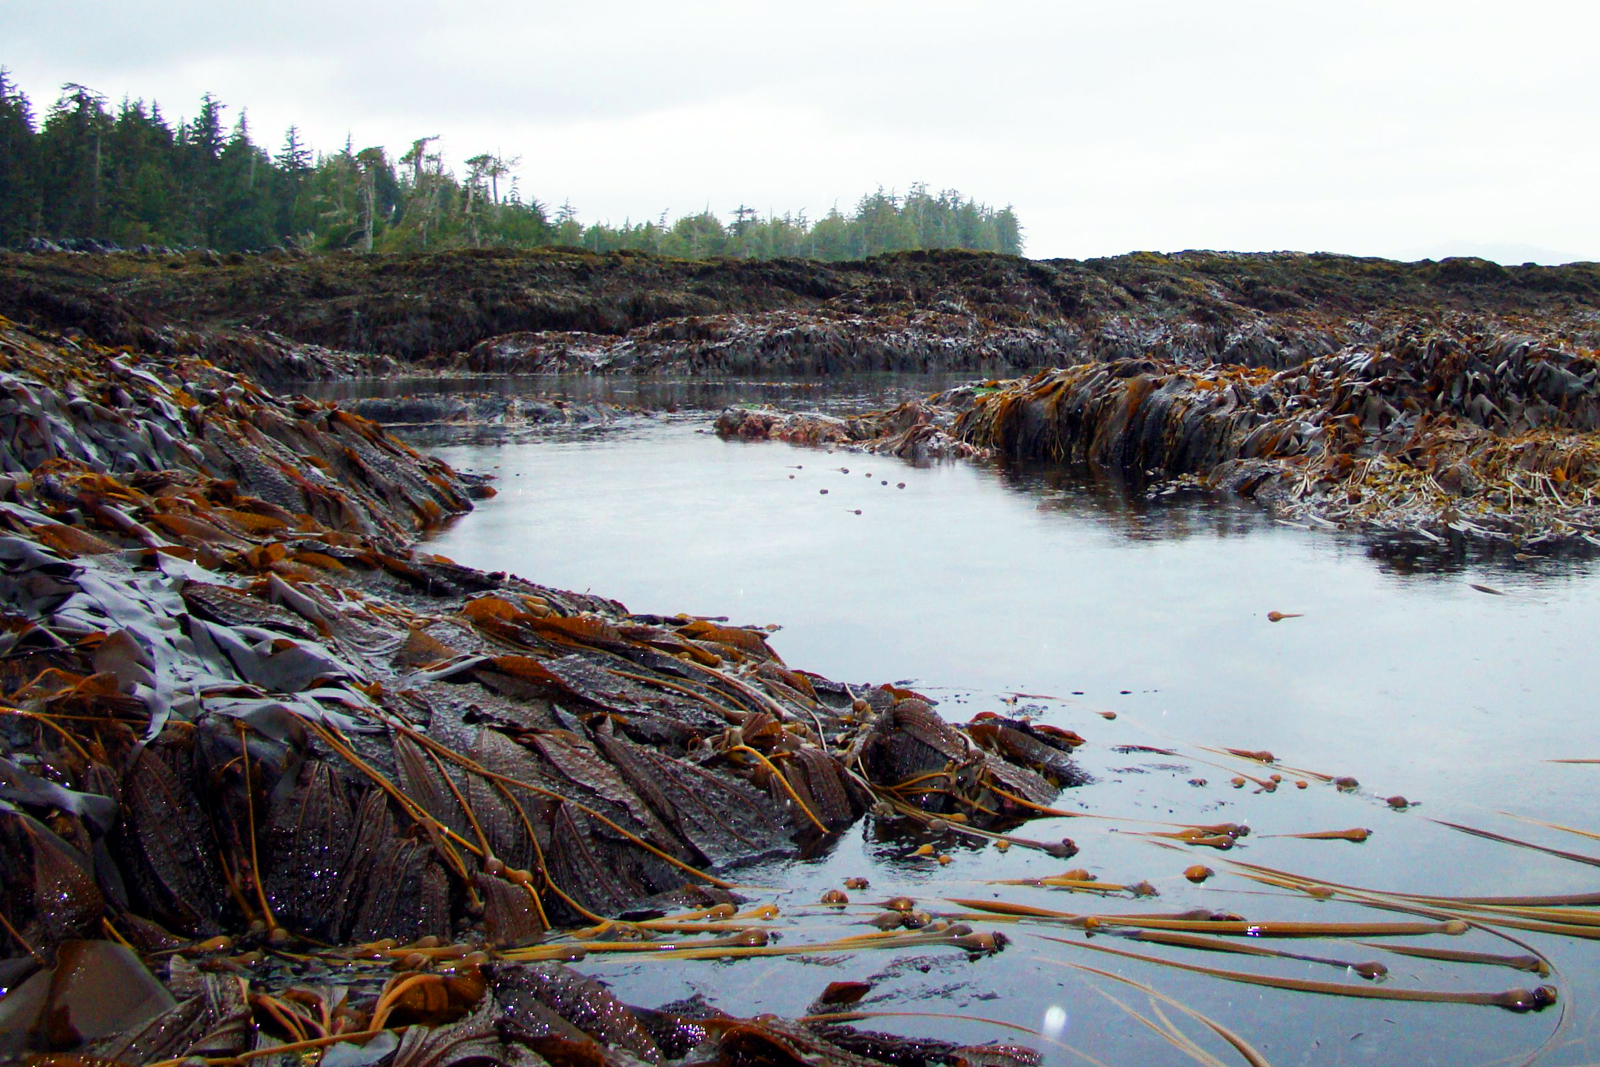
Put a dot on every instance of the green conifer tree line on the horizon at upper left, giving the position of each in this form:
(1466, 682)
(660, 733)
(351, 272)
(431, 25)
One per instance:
(130, 177)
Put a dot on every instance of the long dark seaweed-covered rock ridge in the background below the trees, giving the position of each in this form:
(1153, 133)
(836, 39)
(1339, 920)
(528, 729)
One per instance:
(524, 311)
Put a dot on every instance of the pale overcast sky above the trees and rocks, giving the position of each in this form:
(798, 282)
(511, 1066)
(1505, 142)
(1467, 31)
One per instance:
(1404, 129)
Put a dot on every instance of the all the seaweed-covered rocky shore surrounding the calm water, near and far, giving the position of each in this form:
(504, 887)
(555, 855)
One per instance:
(274, 778)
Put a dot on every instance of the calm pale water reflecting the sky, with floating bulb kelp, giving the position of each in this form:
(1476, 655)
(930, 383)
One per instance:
(978, 583)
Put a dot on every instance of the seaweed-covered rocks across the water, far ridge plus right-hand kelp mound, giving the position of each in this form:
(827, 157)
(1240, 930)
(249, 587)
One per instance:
(1449, 398)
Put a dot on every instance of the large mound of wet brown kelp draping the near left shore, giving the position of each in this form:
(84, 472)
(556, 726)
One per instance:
(257, 743)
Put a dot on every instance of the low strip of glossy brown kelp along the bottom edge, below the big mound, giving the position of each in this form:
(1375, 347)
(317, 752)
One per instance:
(98, 1001)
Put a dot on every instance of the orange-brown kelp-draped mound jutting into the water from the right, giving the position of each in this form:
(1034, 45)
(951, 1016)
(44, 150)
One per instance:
(1457, 426)
